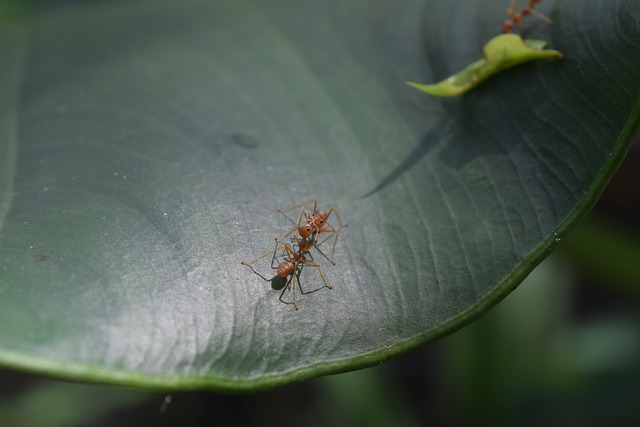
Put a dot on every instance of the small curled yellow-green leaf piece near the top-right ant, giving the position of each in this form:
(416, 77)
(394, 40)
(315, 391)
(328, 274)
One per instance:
(501, 52)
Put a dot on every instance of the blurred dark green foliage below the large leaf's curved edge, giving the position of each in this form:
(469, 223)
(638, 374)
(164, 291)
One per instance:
(562, 349)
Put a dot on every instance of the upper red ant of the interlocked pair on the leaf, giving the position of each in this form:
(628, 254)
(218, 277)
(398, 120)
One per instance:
(314, 224)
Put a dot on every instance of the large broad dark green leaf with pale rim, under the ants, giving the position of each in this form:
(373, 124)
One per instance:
(146, 146)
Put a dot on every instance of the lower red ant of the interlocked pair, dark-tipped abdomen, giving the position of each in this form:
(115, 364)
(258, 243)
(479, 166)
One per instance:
(290, 267)
